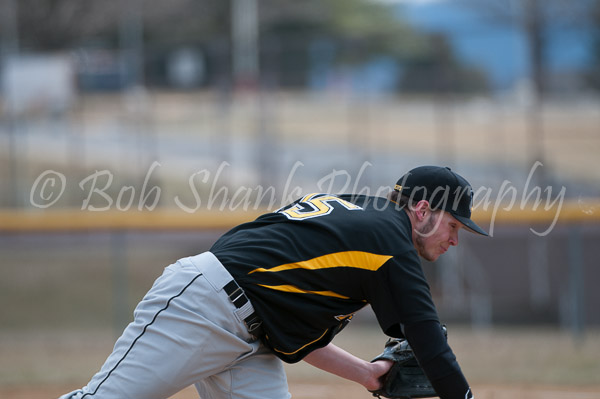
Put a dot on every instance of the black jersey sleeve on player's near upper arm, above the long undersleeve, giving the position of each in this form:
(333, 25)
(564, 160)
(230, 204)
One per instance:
(401, 295)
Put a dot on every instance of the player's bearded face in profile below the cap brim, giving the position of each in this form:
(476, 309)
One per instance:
(437, 233)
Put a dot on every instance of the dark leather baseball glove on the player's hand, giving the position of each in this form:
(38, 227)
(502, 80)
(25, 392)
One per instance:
(406, 379)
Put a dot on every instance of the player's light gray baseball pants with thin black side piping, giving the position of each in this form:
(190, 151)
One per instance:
(186, 331)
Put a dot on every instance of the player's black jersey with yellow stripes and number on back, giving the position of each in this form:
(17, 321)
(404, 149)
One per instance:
(308, 267)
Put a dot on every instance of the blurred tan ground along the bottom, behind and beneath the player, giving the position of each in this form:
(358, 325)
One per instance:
(500, 364)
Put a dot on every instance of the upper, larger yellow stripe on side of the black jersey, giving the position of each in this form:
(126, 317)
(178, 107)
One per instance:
(356, 259)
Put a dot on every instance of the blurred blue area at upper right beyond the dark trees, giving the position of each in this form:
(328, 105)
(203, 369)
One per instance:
(501, 50)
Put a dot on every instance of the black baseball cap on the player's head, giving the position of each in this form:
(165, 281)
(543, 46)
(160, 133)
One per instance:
(443, 189)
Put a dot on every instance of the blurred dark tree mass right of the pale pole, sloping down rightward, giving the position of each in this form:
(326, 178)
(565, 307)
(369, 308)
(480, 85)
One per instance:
(355, 31)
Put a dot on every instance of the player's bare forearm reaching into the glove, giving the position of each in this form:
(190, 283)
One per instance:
(343, 364)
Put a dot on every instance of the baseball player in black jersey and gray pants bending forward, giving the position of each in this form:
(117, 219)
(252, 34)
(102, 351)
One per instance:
(281, 287)
